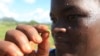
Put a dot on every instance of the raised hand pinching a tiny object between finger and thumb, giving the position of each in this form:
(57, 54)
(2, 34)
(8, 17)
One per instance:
(17, 41)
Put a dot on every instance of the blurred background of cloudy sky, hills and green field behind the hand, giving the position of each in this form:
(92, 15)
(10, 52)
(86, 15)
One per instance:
(14, 12)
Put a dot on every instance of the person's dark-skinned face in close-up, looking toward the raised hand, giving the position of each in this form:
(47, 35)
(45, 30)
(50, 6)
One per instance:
(76, 27)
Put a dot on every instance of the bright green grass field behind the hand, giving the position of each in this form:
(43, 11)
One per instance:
(4, 27)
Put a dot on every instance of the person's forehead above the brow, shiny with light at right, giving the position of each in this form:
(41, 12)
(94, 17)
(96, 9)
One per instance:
(86, 5)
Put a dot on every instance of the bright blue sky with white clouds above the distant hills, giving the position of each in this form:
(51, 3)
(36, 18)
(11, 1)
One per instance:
(26, 10)
